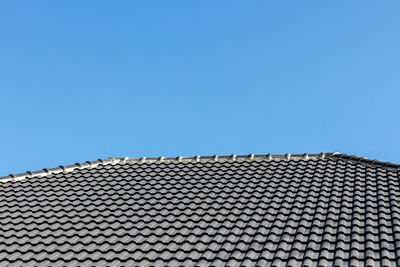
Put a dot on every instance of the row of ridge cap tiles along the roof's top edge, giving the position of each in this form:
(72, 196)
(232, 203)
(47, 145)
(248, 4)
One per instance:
(215, 158)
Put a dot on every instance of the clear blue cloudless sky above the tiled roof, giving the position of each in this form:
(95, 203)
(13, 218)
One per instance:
(82, 80)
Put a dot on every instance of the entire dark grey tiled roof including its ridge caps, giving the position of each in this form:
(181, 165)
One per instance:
(314, 209)
